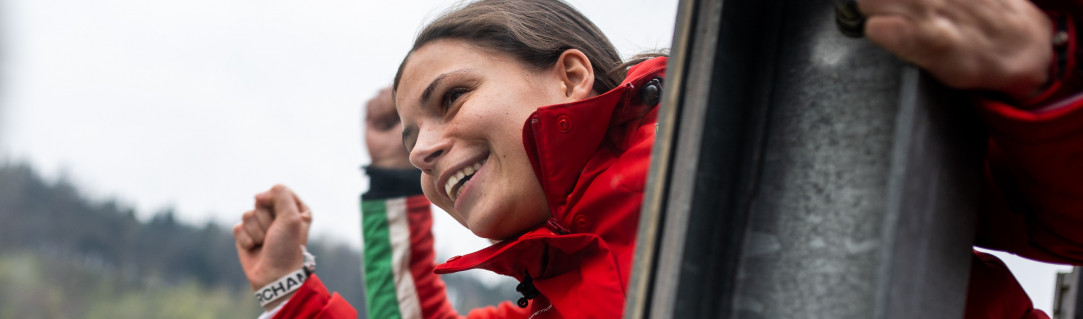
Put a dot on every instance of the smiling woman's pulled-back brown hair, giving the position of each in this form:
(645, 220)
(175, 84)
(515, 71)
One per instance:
(534, 32)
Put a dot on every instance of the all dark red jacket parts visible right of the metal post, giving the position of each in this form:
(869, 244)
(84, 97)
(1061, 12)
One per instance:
(1033, 195)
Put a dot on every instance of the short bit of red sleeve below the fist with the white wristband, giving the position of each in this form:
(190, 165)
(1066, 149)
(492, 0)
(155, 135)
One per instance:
(314, 301)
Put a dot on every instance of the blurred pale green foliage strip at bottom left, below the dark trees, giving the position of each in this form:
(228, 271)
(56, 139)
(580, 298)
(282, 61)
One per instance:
(33, 288)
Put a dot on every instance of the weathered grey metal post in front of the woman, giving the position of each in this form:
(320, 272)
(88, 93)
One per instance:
(814, 176)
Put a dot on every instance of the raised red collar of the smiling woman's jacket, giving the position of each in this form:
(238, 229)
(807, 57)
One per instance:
(560, 140)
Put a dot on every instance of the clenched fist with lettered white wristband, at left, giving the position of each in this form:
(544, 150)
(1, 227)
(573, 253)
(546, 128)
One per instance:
(270, 237)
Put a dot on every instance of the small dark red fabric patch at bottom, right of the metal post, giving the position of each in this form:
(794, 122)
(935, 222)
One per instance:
(995, 293)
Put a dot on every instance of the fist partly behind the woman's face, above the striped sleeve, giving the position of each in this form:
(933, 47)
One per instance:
(384, 134)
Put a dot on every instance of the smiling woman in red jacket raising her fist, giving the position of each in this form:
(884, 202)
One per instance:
(530, 131)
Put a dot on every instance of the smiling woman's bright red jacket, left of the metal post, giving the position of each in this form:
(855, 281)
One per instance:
(592, 158)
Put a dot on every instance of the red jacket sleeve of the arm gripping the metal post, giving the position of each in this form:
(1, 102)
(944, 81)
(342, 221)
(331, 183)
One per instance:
(1034, 189)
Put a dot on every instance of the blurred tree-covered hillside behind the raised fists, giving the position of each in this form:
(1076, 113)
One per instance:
(63, 256)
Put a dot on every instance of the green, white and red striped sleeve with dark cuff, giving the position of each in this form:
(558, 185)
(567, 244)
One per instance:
(399, 254)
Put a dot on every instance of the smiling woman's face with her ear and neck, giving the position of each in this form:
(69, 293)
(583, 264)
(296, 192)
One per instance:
(463, 111)
